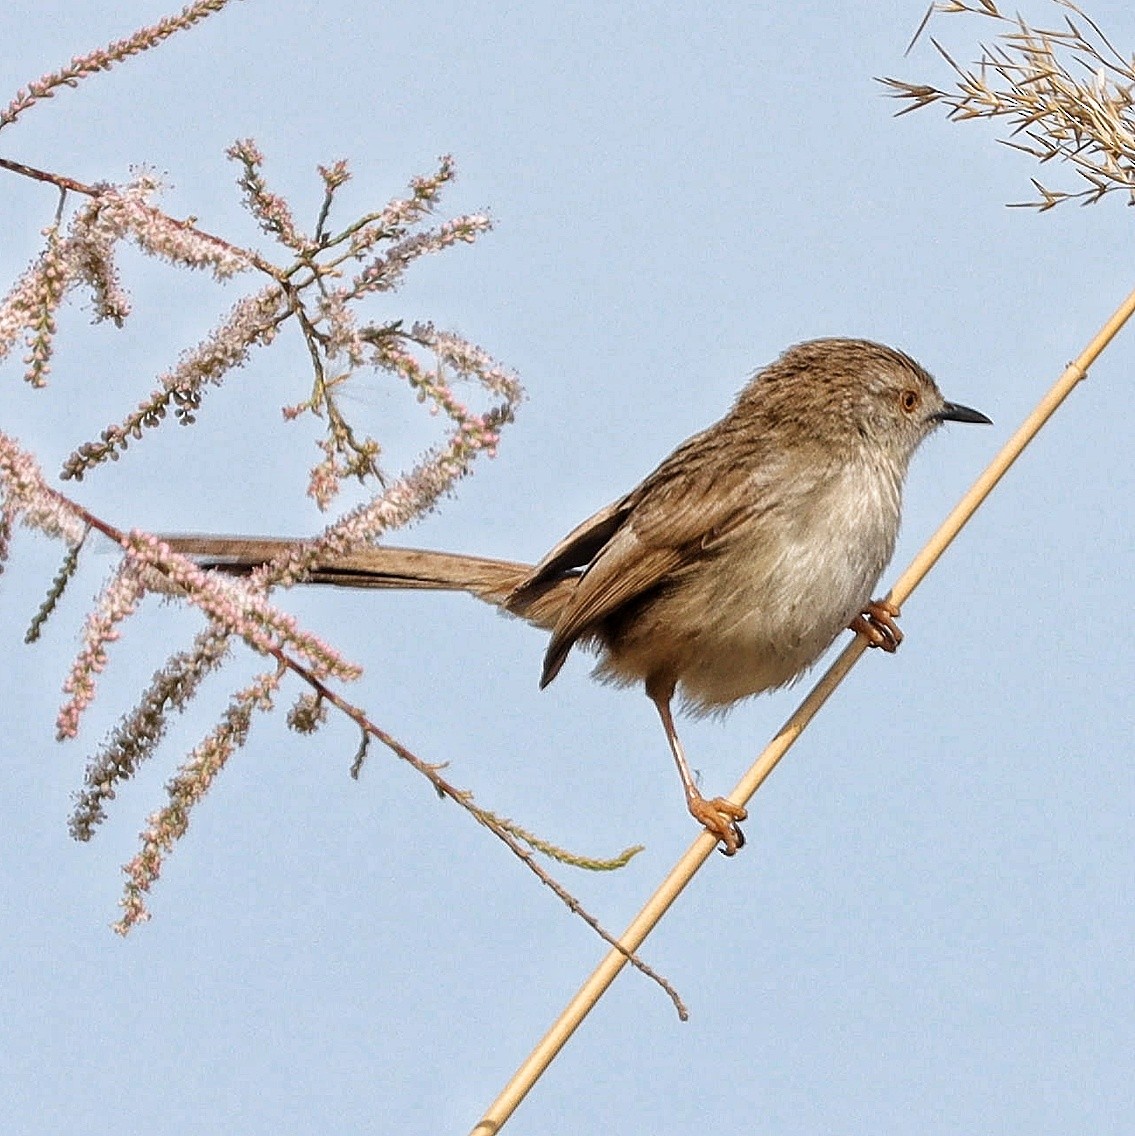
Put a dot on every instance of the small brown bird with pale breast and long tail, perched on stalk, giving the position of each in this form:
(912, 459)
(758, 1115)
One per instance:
(733, 567)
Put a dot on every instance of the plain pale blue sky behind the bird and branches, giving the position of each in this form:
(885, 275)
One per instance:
(931, 929)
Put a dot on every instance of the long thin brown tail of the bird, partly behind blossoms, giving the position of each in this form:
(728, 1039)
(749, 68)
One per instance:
(497, 582)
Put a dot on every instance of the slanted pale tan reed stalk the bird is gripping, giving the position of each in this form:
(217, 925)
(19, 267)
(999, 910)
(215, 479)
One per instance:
(702, 849)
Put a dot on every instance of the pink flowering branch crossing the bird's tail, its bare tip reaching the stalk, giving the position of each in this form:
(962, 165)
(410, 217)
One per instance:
(235, 607)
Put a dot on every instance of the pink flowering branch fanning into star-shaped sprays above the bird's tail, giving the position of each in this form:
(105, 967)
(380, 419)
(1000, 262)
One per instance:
(339, 346)
